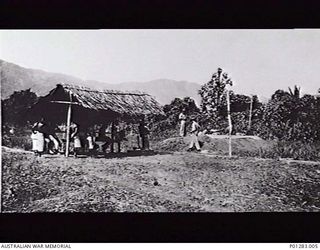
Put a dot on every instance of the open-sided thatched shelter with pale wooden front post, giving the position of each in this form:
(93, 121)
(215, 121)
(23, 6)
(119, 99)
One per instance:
(87, 106)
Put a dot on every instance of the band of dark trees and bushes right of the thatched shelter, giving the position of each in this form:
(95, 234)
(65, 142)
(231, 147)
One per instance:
(289, 118)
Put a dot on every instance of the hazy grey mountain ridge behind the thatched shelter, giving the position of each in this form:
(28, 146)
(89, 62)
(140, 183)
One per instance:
(15, 78)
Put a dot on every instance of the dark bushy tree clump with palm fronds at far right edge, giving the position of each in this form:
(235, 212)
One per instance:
(287, 116)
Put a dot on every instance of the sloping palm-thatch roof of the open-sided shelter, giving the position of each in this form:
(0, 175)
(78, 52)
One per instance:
(124, 103)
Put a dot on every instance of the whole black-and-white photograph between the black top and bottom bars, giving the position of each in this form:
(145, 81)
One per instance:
(167, 120)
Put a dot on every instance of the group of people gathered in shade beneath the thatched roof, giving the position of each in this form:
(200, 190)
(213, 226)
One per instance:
(90, 140)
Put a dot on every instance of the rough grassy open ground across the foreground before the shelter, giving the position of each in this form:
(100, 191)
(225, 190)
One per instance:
(175, 181)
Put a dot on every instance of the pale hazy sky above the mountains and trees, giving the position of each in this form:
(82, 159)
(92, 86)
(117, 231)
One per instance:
(259, 61)
